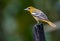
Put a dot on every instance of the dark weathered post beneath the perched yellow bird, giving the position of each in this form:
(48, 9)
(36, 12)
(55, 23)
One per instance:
(38, 32)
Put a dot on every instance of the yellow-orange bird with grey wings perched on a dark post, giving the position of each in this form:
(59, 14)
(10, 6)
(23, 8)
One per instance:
(39, 15)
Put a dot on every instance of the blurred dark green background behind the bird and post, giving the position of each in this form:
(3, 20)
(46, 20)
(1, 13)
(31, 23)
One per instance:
(17, 24)
